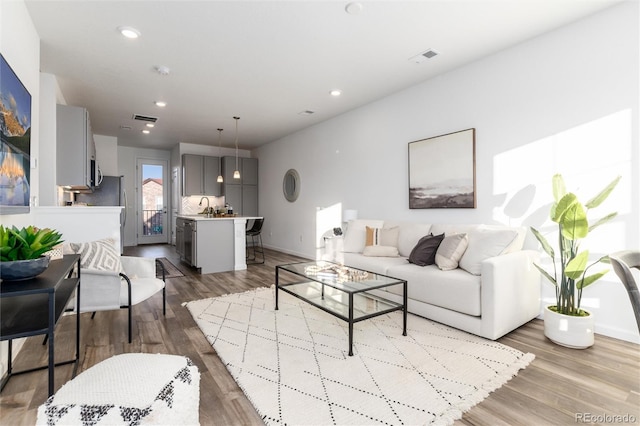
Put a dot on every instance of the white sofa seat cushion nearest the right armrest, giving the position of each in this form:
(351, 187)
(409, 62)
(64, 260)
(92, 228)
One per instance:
(456, 290)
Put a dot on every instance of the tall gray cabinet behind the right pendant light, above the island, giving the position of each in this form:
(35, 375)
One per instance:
(241, 194)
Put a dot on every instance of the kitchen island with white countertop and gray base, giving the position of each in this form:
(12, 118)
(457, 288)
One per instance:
(213, 244)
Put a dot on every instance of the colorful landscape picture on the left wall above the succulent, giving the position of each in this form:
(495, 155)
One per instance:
(15, 138)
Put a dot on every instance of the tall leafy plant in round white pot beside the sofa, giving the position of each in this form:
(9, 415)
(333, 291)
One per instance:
(566, 323)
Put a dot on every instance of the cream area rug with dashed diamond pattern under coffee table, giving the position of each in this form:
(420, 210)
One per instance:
(294, 367)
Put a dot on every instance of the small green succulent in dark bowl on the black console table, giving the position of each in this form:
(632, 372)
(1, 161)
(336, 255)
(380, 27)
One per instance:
(22, 251)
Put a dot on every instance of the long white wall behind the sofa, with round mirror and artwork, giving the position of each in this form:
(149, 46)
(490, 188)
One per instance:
(563, 102)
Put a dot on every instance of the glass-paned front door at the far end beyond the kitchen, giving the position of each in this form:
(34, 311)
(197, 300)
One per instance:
(152, 197)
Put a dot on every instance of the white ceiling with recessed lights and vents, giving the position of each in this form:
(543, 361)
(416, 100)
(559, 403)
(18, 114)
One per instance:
(265, 61)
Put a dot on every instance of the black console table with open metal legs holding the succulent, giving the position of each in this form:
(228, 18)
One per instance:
(32, 307)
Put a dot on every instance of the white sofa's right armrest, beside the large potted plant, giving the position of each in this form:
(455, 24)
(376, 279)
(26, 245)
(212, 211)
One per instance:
(510, 292)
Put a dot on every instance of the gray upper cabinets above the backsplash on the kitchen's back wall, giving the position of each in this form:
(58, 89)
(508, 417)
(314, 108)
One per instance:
(200, 174)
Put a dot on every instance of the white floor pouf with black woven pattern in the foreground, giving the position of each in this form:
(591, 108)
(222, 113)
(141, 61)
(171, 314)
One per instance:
(128, 389)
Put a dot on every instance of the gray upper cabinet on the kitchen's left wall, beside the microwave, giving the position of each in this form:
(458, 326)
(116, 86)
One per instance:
(76, 166)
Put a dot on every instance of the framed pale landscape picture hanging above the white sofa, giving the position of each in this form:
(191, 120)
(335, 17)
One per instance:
(442, 171)
